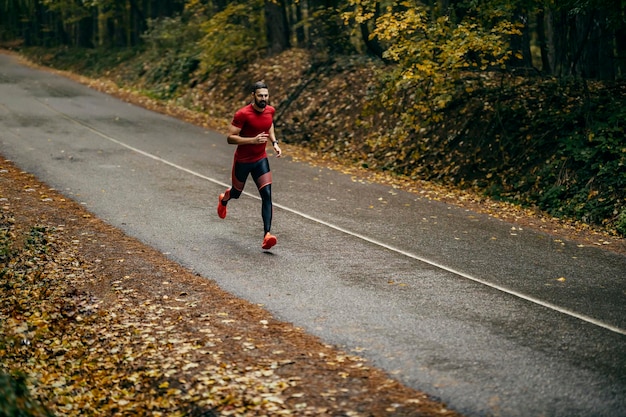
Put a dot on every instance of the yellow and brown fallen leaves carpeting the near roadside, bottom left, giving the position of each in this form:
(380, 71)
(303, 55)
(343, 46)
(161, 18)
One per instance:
(82, 359)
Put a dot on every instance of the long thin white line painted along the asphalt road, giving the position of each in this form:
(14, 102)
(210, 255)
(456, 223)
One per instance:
(514, 293)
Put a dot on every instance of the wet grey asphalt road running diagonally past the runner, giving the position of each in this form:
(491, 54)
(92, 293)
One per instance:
(465, 307)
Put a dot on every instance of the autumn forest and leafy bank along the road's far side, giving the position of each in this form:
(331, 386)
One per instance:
(521, 100)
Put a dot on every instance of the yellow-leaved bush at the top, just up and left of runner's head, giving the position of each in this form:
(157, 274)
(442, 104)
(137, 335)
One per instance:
(233, 36)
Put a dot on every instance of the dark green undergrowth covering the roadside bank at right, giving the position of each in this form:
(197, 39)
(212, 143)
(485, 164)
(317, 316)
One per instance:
(558, 146)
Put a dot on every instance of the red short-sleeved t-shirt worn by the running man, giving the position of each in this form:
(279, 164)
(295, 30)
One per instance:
(251, 123)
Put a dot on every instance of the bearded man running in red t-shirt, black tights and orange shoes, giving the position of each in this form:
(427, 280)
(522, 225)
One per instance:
(251, 129)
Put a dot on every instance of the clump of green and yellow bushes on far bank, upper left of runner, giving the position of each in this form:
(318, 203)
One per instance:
(184, 50)
